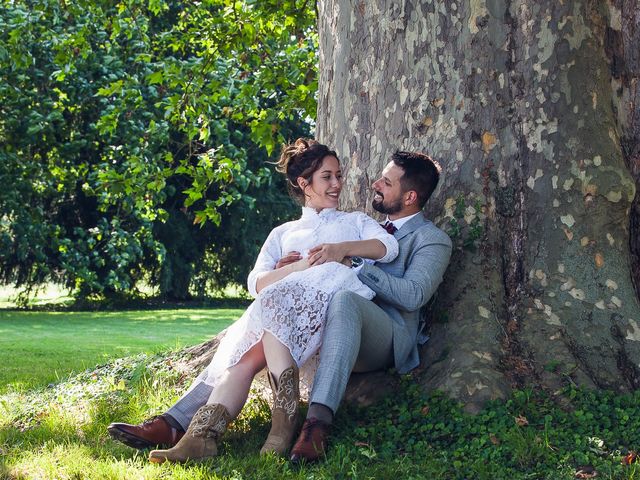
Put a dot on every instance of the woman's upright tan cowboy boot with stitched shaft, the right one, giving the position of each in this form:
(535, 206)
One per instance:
(285, 414)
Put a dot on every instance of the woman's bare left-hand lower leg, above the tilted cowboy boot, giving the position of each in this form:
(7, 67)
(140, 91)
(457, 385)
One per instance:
(233, 388)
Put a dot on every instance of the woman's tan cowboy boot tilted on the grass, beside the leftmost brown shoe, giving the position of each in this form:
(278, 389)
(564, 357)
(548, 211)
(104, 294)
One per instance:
(200, 442)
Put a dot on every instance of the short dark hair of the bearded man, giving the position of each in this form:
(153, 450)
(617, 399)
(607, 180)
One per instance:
(421, 173)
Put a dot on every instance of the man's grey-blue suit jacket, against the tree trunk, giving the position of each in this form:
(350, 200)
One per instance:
(406, 284)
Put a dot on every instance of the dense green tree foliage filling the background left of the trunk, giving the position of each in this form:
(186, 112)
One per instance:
(125, 123)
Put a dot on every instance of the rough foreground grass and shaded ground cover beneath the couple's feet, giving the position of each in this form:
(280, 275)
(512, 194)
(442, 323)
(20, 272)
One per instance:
(60, 433)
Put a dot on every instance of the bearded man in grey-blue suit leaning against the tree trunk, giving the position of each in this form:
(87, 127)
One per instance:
(359, 335)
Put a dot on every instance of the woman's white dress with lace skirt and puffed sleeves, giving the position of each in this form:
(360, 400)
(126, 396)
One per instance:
(293, 309)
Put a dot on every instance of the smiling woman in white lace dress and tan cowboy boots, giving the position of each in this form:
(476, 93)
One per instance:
(283, 327)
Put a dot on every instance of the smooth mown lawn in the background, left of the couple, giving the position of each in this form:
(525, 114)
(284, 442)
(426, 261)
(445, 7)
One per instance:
(38, 348)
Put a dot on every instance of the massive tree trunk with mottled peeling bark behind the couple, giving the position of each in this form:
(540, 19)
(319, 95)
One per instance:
(530, 108)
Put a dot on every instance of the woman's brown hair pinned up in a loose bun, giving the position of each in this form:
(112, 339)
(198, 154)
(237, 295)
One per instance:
(301, 159)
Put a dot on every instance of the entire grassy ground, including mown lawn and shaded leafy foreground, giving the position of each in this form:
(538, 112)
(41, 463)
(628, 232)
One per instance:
(59, 431)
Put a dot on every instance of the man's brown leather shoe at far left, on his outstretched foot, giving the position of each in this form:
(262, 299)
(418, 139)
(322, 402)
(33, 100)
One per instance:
(155, 432)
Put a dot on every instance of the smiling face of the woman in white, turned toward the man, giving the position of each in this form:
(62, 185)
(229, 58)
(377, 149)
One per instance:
(326, 185)
